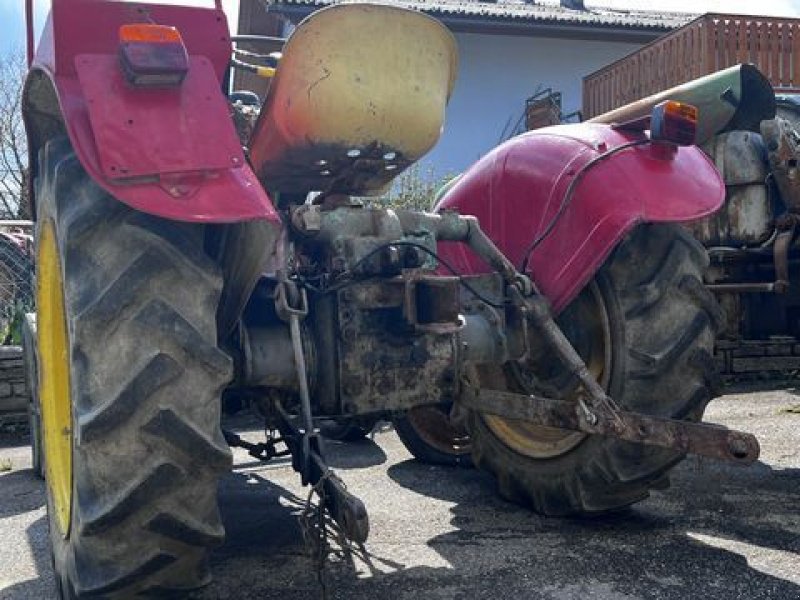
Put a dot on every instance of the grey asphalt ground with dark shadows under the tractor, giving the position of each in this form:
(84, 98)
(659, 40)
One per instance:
(719, 531)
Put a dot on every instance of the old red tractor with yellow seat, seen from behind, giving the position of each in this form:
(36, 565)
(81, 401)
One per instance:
(551, 299)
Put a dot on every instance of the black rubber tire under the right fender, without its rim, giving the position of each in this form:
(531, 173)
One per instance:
(663, 367)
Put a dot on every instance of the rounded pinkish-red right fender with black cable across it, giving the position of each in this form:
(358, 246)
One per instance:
(517, 189)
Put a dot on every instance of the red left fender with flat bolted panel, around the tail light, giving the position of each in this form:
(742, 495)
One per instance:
(170, 152)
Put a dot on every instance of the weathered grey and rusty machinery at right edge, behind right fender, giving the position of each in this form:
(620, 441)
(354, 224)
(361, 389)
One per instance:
(752, 242)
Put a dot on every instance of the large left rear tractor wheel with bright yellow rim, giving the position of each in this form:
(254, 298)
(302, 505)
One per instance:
(130, 381)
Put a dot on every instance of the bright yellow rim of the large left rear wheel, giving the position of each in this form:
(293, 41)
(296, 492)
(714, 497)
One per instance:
(54, 377)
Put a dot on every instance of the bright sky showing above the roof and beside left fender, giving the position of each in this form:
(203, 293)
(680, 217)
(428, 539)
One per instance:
(12, 20)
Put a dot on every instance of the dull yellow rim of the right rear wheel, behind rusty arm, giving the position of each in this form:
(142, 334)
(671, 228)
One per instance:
(591, 319)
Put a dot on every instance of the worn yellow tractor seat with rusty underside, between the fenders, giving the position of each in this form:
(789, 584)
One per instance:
(359, 94)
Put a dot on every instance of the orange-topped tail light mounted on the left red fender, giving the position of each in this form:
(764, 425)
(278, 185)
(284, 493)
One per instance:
(152, 55)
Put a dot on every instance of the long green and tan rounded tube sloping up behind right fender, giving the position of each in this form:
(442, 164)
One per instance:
(739, 97)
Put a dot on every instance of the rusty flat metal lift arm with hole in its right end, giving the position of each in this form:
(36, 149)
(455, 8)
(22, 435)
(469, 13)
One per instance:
(704, 439)
